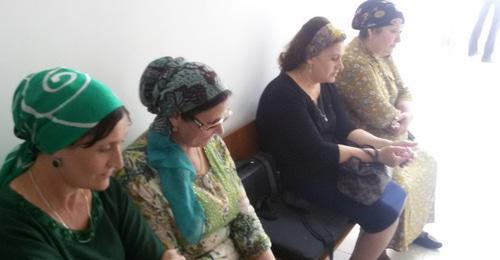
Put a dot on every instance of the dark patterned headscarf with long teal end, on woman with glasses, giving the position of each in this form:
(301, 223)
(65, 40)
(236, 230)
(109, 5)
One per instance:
(170, 87)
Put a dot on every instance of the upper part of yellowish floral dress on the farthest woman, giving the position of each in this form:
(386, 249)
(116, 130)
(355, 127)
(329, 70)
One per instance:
(370, 87)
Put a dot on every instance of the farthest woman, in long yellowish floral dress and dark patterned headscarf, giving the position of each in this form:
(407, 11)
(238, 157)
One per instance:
(378, 102)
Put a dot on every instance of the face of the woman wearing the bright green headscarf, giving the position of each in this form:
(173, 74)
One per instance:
(91, 167)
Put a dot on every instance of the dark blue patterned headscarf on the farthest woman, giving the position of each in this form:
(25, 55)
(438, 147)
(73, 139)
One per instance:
(376, 13)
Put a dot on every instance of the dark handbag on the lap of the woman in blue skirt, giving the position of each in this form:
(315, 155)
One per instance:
(363, 182)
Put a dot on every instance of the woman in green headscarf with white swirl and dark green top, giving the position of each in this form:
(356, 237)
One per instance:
(56, 197)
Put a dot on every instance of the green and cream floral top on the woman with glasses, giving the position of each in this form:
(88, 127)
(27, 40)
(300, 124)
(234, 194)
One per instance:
(232, 230)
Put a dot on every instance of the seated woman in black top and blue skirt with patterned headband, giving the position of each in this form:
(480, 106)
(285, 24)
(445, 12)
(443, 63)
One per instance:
(302, 124)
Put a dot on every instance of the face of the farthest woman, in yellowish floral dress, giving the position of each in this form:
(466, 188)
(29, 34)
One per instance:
(383, 40)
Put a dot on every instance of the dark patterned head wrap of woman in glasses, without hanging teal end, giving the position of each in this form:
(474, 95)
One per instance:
(173, 86)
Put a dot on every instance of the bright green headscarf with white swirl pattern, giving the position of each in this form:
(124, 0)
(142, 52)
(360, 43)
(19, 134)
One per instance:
(52, 109)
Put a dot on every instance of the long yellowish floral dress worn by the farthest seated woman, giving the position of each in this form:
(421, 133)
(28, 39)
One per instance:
(370, 88)
